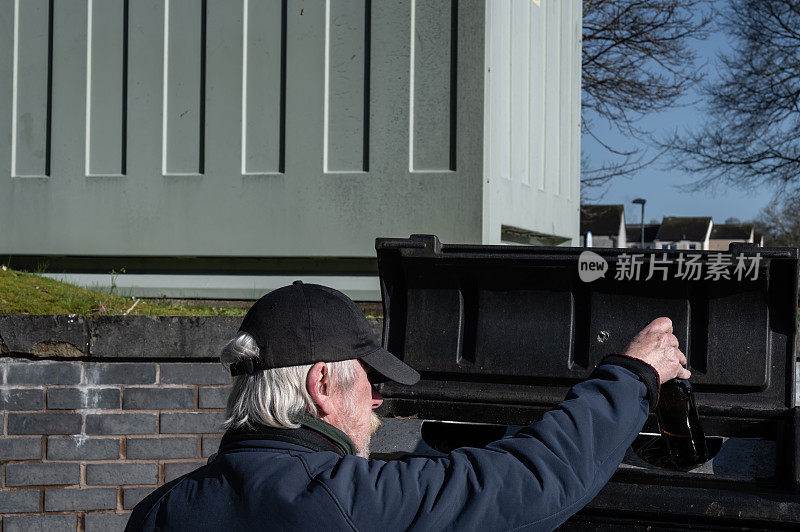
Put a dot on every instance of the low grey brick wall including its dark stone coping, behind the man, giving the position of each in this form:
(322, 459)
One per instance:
(96, 413)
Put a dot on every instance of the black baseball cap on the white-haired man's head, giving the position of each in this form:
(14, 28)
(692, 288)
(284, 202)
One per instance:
(309, 323)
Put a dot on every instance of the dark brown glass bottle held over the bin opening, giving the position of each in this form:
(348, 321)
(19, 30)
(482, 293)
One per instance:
(683, 437)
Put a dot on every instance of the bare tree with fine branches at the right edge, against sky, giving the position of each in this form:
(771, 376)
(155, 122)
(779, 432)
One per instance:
(751, 137)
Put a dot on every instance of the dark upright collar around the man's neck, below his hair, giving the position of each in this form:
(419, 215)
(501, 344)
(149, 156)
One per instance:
(313, 434)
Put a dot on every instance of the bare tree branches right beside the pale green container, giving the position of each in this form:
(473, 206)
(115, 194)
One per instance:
(636, 60)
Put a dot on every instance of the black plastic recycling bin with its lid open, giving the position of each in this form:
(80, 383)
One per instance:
(500, 333)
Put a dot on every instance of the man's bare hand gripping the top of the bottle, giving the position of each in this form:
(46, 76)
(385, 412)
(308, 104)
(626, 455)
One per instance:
(658, 347)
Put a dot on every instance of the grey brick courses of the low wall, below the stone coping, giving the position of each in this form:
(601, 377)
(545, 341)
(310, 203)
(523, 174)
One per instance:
(83, 442)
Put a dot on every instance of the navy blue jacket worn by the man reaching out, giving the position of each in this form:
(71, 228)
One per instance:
(532, 481)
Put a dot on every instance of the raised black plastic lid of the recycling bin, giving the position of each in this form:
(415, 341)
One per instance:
(498, 330)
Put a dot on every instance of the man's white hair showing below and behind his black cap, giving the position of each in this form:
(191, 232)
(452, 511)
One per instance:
(273, 396)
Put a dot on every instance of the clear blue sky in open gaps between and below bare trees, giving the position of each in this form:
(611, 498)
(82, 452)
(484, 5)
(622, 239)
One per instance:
(663, 188)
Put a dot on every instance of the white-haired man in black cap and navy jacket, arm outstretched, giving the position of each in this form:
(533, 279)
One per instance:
(300, 416)
